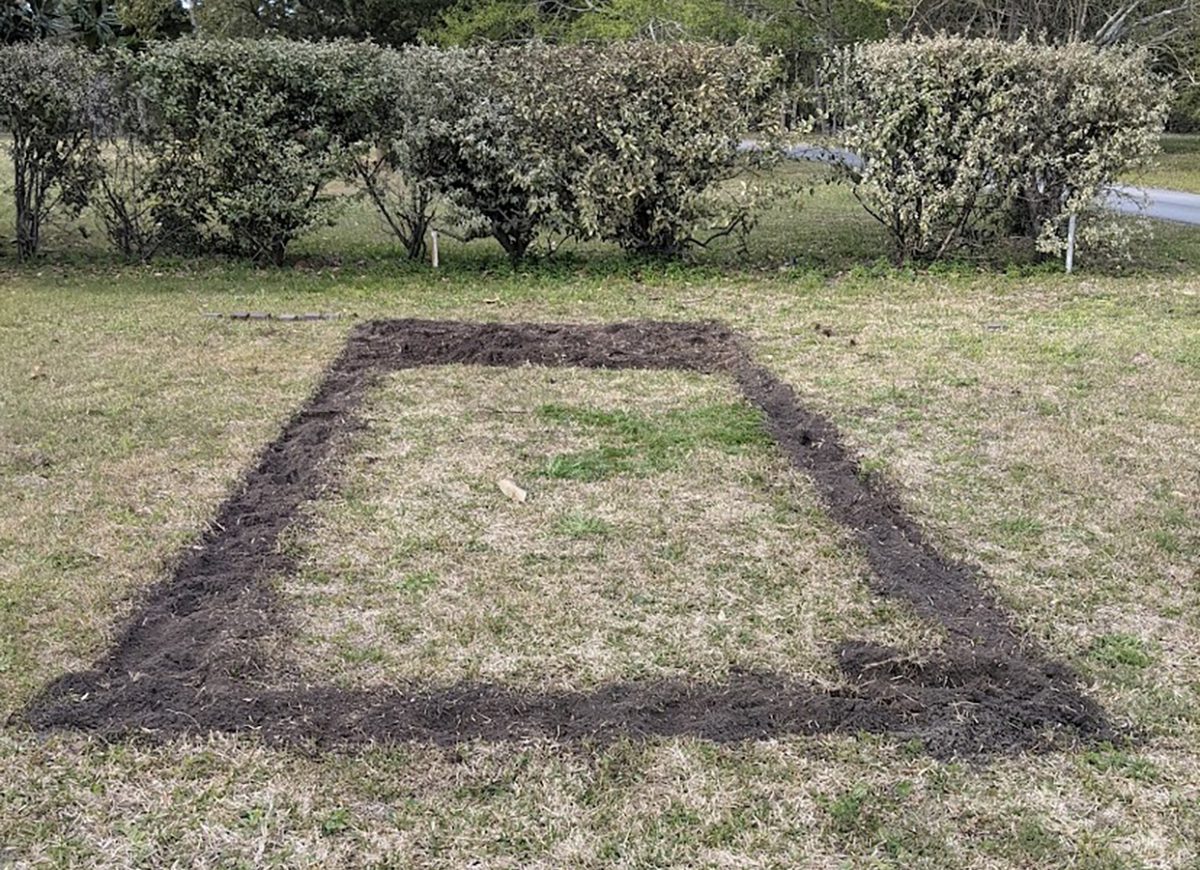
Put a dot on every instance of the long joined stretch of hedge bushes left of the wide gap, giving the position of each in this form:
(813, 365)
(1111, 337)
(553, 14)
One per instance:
(232, 145)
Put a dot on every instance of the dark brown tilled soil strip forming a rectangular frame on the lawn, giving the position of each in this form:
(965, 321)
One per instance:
(190, 661)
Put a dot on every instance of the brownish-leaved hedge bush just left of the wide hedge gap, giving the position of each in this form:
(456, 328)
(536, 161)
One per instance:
(655, 129)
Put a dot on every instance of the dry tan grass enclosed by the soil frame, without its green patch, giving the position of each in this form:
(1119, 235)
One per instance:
(422, 571)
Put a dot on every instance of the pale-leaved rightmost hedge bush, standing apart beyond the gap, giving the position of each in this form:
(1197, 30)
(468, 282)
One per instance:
(964, 142)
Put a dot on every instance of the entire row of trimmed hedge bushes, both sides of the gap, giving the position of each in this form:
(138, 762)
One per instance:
(232, 146)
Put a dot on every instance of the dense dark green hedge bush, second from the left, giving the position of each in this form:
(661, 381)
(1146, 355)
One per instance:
(251, 133)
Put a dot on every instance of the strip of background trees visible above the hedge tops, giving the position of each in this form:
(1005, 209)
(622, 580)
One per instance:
(800, 32)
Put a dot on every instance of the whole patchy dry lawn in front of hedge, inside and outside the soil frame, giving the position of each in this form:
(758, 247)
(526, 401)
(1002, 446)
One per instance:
(1043, 428)
